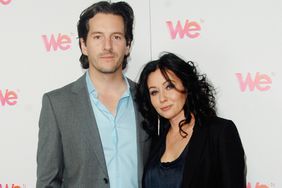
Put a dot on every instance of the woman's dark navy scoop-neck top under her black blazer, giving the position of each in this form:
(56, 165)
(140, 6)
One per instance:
(164, 175)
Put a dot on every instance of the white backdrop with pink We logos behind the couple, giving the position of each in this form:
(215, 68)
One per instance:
(238, 44)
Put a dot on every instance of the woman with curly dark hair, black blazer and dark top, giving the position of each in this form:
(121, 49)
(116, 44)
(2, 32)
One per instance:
(191, 146)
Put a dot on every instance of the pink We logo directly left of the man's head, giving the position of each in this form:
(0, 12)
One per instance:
(61, 42)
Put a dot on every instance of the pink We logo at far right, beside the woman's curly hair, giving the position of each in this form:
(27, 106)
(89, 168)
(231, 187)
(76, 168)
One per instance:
(261, 82)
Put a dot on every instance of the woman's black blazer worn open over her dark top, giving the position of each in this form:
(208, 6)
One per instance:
(216, 157)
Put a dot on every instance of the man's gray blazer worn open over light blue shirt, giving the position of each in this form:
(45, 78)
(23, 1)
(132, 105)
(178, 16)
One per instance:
(70, 152)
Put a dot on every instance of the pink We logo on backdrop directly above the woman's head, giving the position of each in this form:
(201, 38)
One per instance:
(191, 29)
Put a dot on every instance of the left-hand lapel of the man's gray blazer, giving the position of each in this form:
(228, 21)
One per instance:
(88, 120)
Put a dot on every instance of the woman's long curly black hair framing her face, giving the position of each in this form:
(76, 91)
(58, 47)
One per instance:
(200, 94)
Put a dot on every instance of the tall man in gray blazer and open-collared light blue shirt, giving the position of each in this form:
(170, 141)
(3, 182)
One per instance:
(89, 130)
